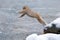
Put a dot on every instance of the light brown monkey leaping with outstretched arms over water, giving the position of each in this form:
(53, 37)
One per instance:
(27, 11)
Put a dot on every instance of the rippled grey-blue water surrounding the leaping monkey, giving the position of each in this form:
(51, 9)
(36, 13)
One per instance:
(14, 28)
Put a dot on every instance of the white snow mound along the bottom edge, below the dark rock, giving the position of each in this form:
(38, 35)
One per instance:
(48, 36)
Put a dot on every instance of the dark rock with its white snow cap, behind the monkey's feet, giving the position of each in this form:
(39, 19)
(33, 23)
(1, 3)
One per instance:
(53, 27)
